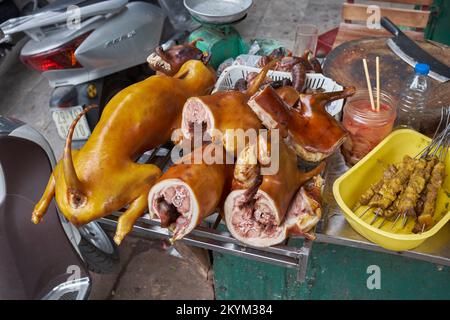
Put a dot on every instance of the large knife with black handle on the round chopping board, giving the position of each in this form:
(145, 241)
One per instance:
(407, 50)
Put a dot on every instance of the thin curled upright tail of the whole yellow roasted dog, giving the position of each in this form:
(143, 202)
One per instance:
(76, 197)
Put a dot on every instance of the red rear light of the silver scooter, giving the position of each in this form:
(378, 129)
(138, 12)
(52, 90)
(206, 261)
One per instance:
(56, 59)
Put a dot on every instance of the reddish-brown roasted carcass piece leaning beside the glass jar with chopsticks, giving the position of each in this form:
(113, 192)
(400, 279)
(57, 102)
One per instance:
(307, 128)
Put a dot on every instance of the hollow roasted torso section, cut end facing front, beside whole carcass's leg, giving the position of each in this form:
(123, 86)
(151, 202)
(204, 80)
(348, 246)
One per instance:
(189, 192)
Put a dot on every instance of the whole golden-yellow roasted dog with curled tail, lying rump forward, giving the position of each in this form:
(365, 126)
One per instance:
(102, 177)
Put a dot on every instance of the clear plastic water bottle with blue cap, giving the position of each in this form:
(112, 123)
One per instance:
(411, 106)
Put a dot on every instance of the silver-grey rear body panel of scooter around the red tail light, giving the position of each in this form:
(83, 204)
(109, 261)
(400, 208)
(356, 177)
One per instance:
(115, 43)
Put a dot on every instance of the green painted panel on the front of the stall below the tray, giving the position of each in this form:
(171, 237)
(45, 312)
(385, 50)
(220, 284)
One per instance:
(334, 272)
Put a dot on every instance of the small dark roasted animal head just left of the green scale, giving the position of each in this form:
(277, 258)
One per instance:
(171, 60)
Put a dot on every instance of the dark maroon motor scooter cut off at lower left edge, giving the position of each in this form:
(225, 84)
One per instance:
(50, 260)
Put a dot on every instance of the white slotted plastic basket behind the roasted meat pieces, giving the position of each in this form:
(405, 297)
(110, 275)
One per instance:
(232, 74)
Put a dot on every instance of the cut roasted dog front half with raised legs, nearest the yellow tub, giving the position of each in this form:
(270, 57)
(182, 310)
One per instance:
(256, 211)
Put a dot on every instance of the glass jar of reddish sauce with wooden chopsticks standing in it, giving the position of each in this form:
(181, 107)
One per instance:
(366, 127)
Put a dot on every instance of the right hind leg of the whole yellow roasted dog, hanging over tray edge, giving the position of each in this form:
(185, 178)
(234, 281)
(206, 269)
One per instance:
(129, 217)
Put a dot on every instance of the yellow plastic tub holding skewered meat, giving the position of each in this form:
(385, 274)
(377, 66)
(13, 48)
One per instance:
(349, 187)
